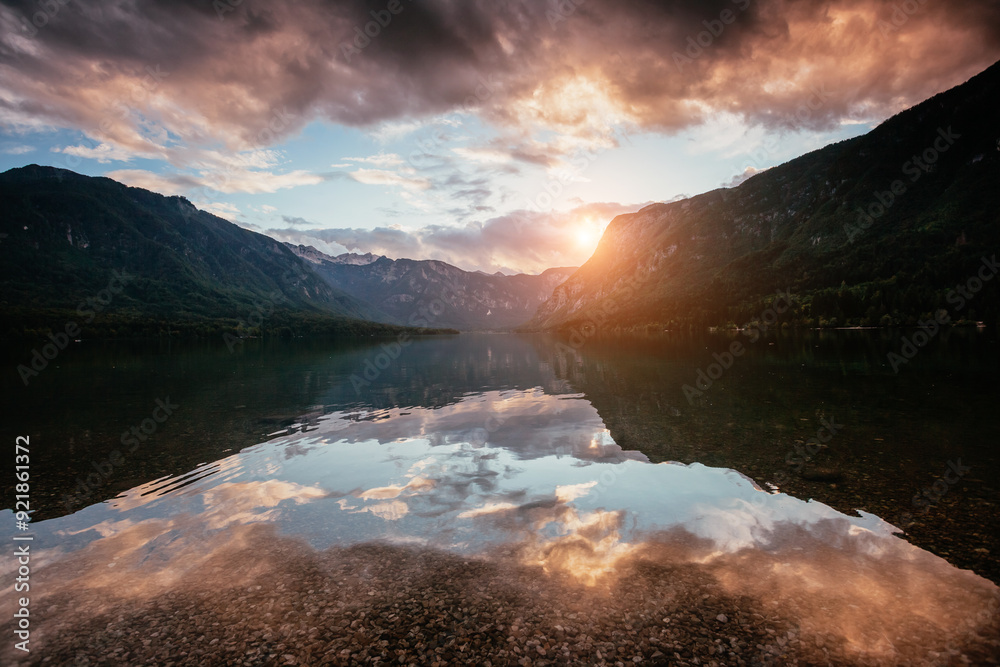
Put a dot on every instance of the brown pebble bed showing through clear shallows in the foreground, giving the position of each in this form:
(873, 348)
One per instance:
(270, 600)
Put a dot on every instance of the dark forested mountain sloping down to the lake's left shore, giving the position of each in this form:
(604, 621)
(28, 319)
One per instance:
(120, 261)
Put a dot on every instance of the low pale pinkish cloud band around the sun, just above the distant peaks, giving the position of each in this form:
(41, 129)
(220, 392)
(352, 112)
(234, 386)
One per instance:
(520, 241)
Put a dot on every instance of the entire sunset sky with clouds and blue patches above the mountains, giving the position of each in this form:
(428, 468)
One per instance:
(497, 135)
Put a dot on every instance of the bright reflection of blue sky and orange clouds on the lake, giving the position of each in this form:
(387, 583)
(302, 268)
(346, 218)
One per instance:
(530, 479)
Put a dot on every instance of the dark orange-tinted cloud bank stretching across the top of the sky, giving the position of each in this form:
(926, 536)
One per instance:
(161, 77)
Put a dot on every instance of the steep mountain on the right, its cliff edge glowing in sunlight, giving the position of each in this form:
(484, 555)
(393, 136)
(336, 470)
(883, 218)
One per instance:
(876, 230)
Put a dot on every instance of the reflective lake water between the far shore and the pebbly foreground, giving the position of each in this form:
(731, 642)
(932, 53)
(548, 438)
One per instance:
(508, 449)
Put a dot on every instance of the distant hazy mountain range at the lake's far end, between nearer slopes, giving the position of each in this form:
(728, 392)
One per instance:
(407, 291)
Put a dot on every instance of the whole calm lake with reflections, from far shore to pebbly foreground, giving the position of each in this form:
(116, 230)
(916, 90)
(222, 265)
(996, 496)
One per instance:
(775, 483)
